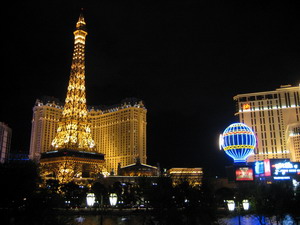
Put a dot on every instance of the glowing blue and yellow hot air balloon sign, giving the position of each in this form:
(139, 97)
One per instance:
(238, 141)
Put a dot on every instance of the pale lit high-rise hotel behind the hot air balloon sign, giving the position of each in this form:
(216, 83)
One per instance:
(274, 116)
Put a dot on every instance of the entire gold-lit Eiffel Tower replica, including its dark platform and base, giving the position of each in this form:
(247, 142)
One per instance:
(73, 156)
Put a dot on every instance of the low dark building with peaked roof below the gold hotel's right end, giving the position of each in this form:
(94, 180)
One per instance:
(138, 169)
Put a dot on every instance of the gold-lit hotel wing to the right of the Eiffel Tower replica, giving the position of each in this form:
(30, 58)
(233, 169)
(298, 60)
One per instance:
(120, 133)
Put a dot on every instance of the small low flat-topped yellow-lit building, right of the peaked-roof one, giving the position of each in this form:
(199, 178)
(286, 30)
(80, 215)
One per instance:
(191, 175)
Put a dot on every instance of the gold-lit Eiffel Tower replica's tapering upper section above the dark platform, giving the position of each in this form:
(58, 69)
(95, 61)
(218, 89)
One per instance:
(74, 130)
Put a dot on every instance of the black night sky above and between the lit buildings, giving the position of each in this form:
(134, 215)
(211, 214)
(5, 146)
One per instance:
(185, 59)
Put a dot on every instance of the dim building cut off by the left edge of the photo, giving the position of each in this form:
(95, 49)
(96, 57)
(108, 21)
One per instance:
(5, 141)
